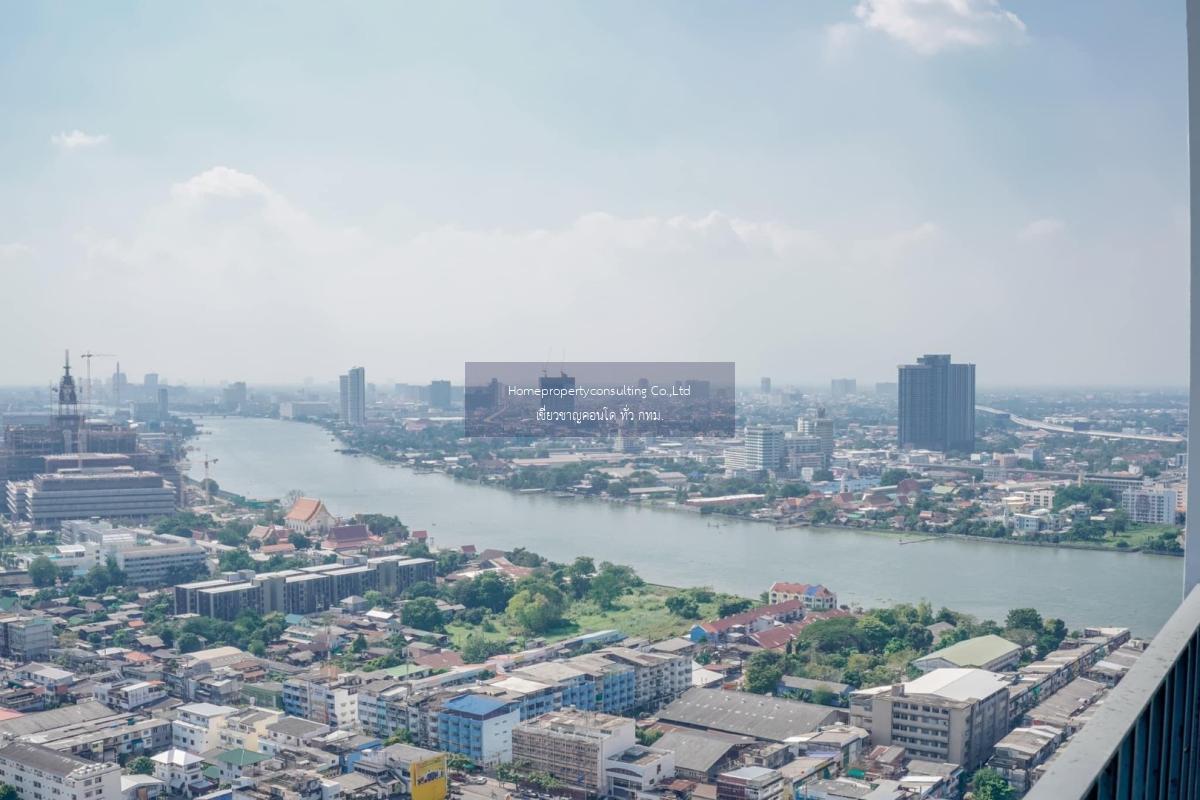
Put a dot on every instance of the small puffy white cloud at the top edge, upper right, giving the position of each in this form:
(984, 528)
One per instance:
(931, 27)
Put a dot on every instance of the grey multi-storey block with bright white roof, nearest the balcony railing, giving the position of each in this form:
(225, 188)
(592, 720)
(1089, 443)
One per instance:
(946, 715)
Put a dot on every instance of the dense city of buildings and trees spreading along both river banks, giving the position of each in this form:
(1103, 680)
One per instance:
(269, 646)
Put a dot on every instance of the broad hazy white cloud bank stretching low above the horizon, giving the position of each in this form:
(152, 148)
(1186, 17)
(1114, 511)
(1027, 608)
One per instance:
(277, 293)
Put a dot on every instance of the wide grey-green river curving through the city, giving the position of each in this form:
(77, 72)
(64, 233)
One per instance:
(268, 459)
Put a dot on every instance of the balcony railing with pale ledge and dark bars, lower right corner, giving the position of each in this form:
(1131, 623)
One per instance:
(1144, 741)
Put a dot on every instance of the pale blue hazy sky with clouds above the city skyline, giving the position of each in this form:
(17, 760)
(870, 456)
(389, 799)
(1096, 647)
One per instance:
(278, 191)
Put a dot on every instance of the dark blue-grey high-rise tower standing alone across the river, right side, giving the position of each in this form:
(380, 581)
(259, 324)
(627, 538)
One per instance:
(938, 405)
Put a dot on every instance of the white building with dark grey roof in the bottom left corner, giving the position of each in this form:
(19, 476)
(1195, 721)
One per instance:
(39, 773)
